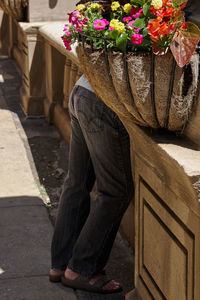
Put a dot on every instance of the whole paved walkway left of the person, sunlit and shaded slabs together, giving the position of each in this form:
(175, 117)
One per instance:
(25, 228)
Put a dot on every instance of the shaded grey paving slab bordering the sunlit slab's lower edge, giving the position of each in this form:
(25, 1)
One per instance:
(25, 235)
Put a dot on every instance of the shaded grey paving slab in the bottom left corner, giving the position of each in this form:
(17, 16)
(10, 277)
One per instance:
(34, 288)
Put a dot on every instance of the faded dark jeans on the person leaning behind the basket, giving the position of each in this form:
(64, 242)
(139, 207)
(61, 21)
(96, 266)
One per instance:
(99, 149)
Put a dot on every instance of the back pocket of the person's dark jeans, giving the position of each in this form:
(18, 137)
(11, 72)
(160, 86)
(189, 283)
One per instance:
(89, 110)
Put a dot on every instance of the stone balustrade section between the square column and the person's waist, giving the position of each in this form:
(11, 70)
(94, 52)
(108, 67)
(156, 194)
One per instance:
(61, 72)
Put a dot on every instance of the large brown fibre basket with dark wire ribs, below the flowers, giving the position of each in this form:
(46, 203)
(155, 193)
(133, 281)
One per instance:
(146, 89)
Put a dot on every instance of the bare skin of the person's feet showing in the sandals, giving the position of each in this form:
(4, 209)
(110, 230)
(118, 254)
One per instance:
(111, 285)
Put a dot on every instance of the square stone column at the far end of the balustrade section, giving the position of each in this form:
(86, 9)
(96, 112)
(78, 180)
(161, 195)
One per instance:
(29, 54)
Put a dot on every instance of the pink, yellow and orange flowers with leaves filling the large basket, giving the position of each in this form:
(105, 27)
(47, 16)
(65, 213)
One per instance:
(137, 25)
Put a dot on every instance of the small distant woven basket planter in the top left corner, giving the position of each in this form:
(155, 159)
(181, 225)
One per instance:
(14, 8)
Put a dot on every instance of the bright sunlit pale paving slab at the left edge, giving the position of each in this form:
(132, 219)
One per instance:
(16, 177)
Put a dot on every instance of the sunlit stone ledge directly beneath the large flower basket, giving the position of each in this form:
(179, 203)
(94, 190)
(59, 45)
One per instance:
(171, 159)
